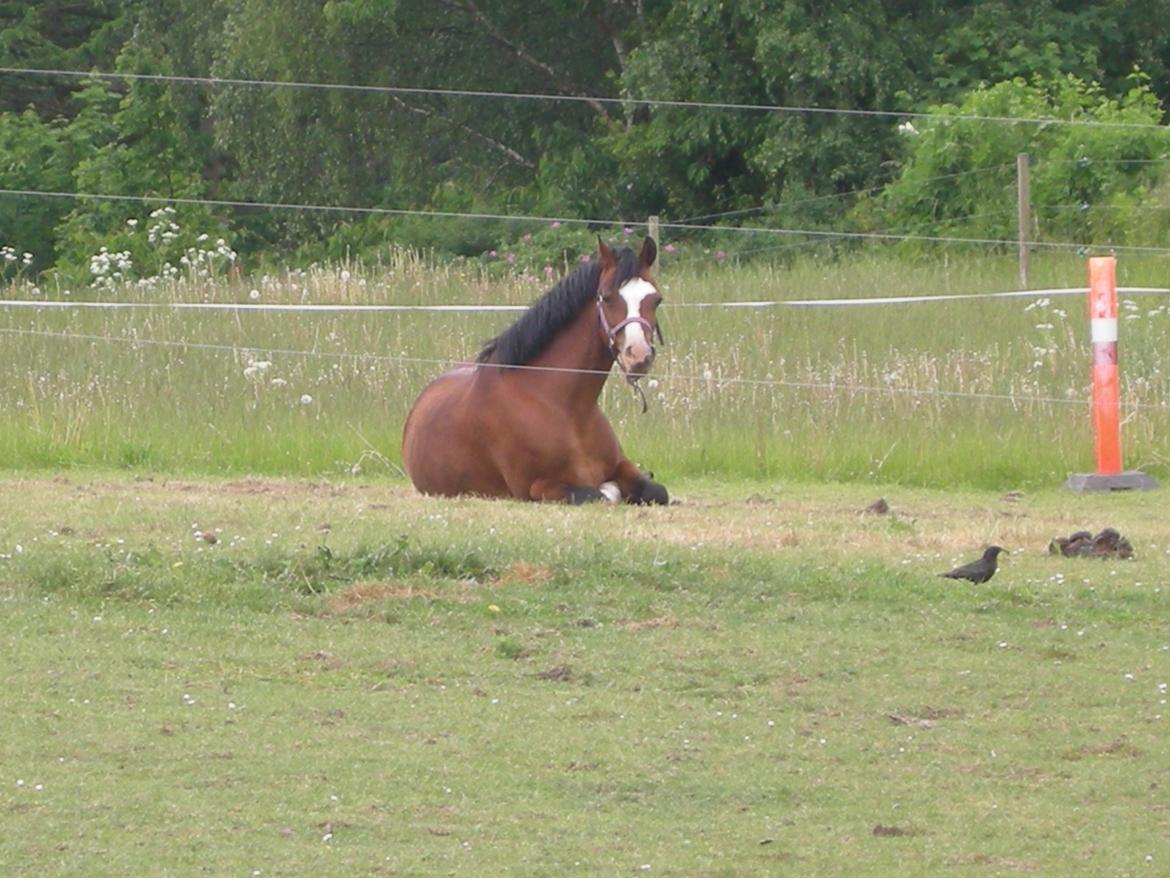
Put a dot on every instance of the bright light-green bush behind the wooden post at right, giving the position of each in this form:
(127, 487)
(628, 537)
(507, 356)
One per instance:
(1089, 181)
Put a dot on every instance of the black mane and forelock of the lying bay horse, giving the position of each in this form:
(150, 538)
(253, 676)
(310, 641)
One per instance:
(535, 330)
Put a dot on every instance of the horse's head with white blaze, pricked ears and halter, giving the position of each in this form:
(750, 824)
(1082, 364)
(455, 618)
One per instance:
(628, 301)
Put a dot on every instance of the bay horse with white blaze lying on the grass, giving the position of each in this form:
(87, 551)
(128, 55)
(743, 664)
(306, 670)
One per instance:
(524, 421)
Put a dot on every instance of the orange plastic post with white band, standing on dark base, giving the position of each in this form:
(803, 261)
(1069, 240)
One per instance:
(1106, 376)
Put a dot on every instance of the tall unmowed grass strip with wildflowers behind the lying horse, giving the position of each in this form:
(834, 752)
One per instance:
(985, 393)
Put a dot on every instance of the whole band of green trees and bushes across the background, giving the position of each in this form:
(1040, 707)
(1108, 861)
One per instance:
(422, 152)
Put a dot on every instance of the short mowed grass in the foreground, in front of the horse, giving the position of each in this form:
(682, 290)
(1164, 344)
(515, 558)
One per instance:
(353, 680)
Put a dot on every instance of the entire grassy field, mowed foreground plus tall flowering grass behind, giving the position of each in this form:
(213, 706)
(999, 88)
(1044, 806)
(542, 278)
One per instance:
(240, 643)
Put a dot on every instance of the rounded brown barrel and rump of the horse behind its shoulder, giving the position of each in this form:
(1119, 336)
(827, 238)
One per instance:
(444, 441)
